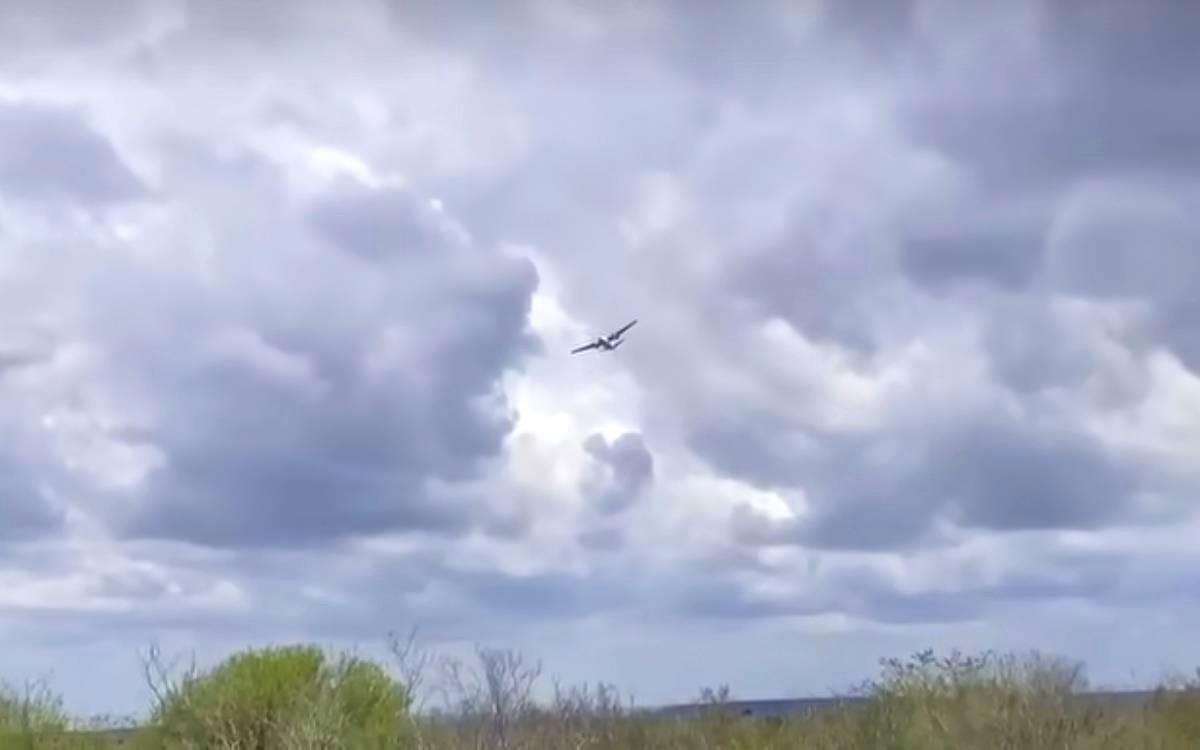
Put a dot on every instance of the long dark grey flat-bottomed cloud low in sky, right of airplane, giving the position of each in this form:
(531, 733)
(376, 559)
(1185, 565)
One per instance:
(991, 473)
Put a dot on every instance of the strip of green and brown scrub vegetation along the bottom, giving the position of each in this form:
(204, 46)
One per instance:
(301, 697)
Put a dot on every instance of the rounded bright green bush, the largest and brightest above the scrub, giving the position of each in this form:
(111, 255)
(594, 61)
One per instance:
(283, 698)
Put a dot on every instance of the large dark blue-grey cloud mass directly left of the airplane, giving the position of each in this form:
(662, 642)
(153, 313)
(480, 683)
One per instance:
(335, 400)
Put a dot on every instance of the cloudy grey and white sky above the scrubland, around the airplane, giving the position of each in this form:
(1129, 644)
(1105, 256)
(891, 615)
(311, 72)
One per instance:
(287, 293)
